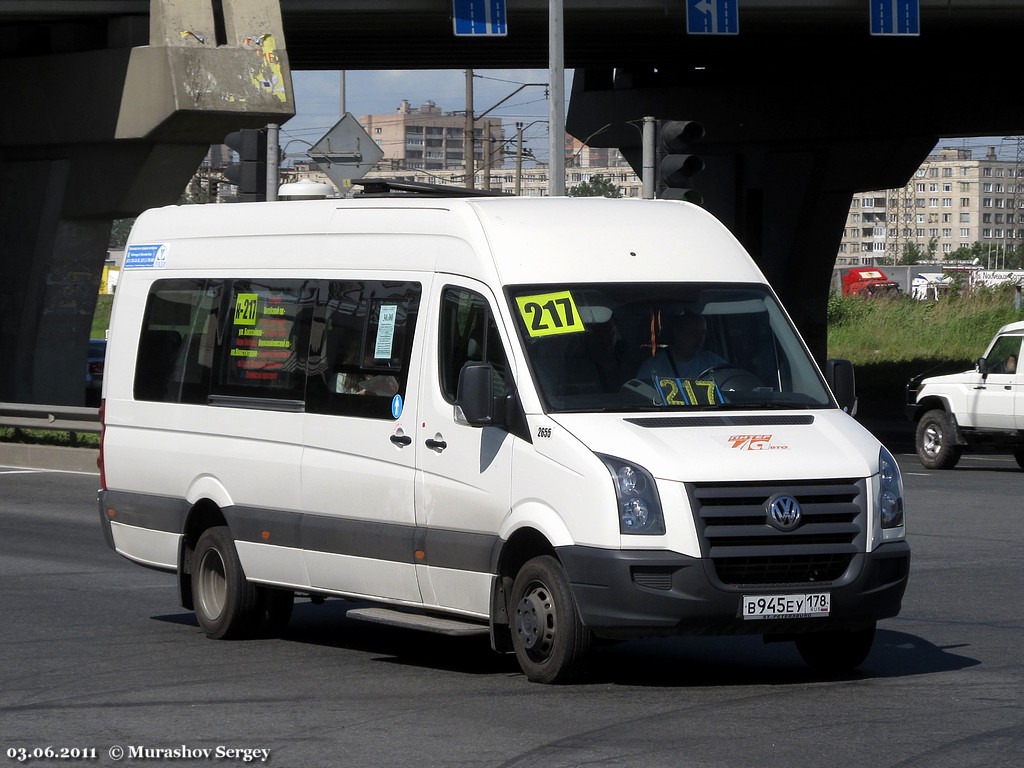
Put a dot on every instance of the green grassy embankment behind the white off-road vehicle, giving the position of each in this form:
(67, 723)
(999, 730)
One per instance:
(891, 340)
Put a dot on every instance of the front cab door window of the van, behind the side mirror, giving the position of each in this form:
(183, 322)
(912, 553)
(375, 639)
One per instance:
(468, 334)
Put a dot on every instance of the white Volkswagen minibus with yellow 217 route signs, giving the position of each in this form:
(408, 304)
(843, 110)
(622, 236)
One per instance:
(457, 415)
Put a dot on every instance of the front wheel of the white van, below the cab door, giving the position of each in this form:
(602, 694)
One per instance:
(549, 639)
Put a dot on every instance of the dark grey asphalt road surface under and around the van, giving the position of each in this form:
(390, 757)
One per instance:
(99, 657)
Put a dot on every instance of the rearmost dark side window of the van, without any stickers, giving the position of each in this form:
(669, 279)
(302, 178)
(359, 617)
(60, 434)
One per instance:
(176, 352)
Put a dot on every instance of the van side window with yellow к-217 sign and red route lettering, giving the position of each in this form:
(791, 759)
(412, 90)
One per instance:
(268, 329)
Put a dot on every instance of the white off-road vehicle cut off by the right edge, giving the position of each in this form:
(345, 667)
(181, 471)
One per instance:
(982, 408)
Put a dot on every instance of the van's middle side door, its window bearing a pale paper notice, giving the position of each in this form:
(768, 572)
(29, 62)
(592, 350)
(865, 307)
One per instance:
(359, 461)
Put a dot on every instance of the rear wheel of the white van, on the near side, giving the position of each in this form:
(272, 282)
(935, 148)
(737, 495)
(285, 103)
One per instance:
(227, 606)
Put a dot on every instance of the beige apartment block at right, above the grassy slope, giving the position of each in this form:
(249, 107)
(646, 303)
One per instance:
(953, 202)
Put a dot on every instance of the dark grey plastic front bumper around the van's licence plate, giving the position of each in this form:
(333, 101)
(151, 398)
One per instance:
(622, 594)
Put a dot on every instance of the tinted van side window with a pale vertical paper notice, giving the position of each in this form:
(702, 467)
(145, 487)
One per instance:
(363, 352)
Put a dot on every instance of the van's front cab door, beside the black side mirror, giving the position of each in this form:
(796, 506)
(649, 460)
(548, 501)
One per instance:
(463, 479)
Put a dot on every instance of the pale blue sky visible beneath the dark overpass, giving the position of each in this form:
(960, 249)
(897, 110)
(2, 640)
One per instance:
(318, 104)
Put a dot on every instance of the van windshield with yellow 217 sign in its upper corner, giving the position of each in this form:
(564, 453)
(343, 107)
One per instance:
(666, 346)
